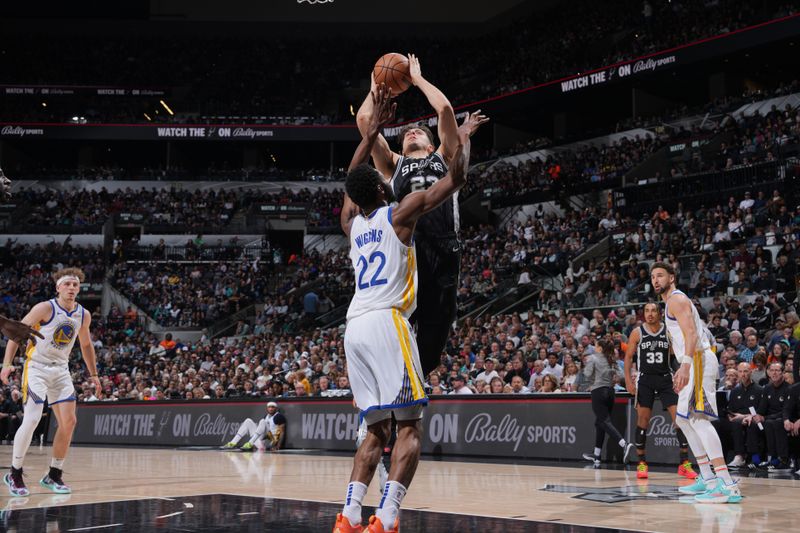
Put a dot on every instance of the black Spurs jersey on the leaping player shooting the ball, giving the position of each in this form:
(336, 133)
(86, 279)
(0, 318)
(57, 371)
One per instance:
(412, 175)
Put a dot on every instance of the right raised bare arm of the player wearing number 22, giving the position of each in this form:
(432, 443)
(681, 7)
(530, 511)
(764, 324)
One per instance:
(416, 204)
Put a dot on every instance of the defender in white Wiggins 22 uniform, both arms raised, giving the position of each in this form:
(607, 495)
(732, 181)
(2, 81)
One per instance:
(382, 356)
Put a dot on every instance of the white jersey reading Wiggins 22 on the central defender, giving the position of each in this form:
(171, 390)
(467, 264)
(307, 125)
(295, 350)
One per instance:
(385, 268)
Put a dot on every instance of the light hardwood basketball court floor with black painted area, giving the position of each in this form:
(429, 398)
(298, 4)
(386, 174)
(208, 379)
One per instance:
(136, 489)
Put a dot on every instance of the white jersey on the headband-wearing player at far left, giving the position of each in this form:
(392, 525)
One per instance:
(59, 334)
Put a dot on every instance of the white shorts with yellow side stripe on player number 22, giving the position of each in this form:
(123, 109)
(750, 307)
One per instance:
(383, 366)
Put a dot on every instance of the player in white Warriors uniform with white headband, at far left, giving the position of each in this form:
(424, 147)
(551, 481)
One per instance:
(46, 376)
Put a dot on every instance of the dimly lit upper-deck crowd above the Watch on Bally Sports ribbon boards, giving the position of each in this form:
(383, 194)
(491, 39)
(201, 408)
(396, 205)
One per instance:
(550, 44)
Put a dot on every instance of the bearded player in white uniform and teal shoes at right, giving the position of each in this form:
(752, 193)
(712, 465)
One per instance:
(695, 383)
